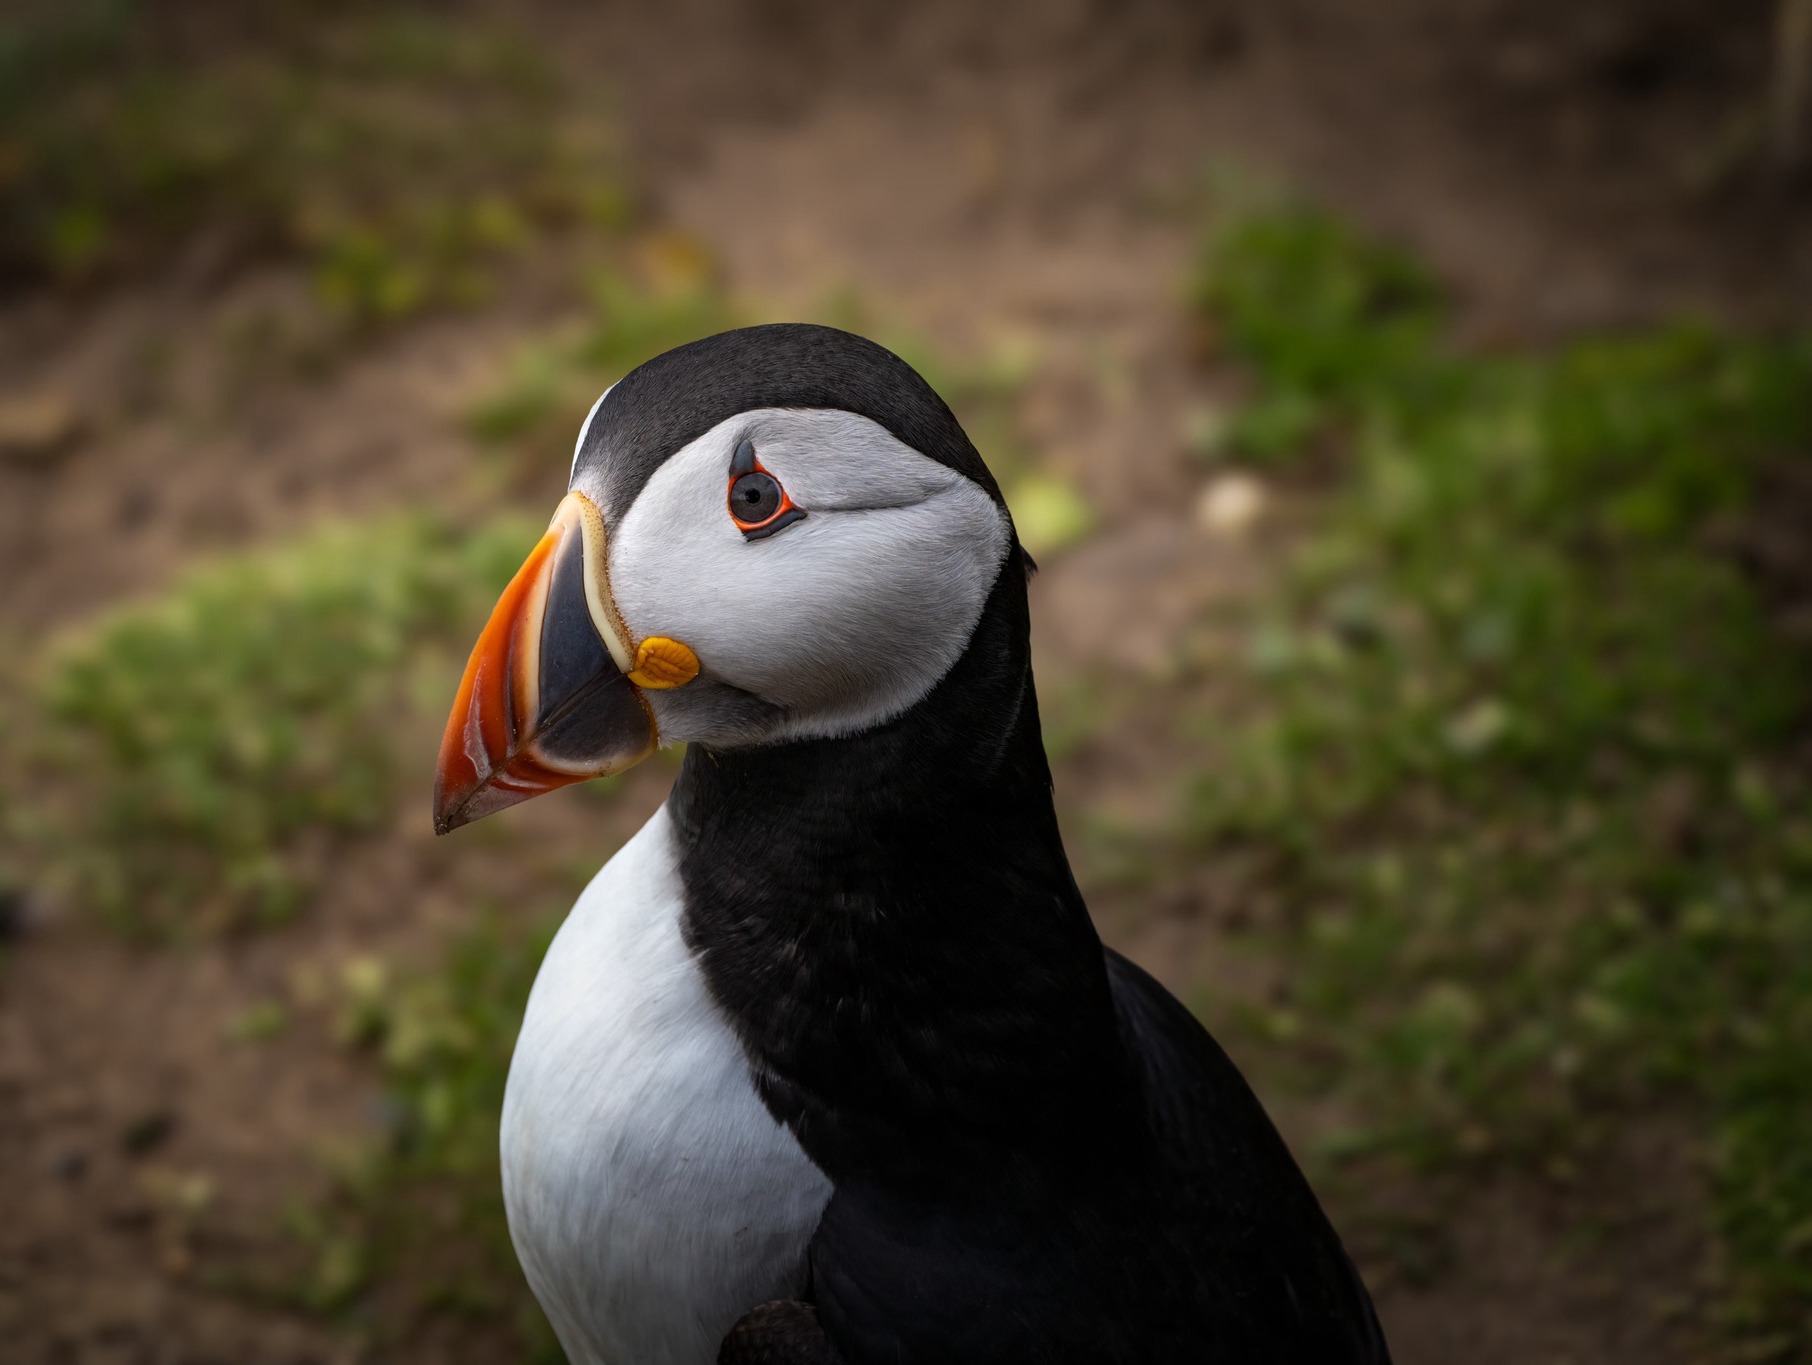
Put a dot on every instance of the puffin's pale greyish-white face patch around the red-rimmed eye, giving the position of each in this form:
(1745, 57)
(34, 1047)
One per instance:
(834, 623)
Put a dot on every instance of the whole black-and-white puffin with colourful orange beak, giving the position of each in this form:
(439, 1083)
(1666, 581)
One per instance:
(829, 1063)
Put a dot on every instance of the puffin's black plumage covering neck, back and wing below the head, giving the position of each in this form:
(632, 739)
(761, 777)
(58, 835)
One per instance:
(1037, 1156)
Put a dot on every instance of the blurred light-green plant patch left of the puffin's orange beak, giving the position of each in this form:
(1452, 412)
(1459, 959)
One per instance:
(207, 746)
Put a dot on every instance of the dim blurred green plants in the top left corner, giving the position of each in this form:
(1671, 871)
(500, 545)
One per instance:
(400, 155)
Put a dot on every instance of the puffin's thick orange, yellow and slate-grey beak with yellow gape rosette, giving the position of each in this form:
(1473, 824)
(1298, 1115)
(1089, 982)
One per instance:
(554, 692)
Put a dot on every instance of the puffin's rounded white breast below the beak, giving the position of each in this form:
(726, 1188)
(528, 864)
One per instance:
(651, 1196)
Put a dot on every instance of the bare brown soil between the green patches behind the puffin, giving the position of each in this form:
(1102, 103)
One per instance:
(979, 171)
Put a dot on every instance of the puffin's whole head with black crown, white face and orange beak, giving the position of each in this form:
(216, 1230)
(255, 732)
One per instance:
(773, 534)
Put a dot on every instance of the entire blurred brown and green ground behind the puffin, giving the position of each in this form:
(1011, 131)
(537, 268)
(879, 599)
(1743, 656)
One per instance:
(1409, 403)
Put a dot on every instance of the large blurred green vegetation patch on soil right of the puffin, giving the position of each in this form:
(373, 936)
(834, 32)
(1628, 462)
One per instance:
(1518, 742)
